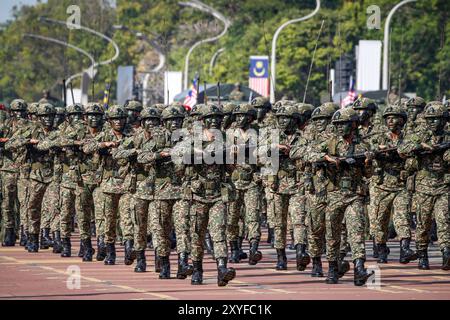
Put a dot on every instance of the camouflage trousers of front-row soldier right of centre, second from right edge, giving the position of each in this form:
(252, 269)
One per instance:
(350, 207)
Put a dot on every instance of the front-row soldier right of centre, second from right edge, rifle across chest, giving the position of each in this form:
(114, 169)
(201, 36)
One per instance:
(345, 195)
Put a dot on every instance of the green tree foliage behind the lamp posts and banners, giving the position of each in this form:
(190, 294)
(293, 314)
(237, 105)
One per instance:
(419, 57)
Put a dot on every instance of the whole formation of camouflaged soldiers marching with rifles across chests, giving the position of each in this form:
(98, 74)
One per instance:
(193, 181)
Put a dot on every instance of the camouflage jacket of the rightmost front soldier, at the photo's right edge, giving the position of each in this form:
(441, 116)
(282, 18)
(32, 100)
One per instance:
(433, 168)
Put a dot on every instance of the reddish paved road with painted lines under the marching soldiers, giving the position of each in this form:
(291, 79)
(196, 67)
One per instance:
(44, 276)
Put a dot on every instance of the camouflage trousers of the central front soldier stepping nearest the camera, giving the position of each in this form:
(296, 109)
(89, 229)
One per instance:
(213, 215)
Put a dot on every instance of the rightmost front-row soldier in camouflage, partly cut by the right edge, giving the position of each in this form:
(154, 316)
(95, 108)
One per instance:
(432, 182)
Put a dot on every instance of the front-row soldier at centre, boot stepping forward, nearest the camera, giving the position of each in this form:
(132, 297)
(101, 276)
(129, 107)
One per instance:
(210, 196)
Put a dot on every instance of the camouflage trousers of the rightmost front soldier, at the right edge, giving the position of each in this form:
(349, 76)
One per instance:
(433, 206)
